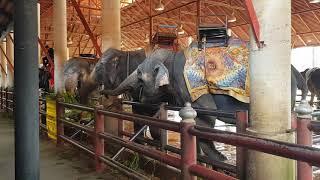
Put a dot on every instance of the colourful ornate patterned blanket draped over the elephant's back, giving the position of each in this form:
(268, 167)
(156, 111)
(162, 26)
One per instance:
(218, 70)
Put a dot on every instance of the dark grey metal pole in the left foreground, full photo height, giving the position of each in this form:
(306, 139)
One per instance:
(26, 90)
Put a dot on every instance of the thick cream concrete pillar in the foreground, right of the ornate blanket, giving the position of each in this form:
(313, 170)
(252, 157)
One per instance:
(270, 76)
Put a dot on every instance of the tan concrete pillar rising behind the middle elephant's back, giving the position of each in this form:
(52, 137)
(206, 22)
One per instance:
(111, 37)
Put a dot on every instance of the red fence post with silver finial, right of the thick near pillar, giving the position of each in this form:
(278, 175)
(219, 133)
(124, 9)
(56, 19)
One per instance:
(304, 137)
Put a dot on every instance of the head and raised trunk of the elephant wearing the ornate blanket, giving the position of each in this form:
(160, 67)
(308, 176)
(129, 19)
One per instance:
(149, 78)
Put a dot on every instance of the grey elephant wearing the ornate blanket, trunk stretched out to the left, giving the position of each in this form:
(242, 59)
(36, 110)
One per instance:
(161, 79)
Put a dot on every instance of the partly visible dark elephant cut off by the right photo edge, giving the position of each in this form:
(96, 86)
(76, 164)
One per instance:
(312, 78)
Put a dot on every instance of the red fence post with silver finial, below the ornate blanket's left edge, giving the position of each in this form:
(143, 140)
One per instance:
(188, 142)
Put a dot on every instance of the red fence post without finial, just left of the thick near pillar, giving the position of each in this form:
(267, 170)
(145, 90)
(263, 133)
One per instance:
(242, 124)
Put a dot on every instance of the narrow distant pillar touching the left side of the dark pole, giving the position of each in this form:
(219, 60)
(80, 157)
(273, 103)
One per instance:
(10, 52)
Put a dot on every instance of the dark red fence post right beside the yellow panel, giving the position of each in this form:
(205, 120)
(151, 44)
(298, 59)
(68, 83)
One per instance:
(59, 115)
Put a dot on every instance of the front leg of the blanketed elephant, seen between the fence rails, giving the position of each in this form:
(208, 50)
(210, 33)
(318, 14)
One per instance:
(207, 147)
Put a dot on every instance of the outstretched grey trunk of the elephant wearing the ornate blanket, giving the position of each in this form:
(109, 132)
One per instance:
(126, 85)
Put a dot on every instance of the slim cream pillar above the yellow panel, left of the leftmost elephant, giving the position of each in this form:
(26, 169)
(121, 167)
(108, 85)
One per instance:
(60, 42)
